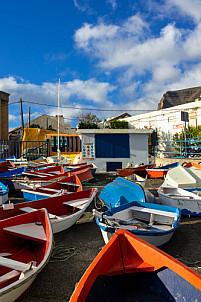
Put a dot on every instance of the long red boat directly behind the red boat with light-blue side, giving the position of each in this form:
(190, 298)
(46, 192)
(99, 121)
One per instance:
(83, 174)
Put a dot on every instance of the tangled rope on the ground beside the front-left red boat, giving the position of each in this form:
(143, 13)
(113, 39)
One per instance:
(63, 253)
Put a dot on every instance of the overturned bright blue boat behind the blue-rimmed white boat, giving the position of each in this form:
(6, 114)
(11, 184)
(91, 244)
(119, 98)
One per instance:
(122, 191)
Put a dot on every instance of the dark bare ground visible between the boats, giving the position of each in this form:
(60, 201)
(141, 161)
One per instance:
(77, 247)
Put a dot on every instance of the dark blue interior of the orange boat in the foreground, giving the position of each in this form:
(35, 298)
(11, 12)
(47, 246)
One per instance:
(162, 285)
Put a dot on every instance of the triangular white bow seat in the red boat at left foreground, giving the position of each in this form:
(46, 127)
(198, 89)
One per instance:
(33, 231)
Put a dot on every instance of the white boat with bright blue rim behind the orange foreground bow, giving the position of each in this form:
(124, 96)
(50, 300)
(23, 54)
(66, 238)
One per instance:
(153, 223)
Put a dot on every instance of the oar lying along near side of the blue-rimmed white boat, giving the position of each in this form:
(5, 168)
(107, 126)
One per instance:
(118, 222)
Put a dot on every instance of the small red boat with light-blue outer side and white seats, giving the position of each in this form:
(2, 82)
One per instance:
(65, 186)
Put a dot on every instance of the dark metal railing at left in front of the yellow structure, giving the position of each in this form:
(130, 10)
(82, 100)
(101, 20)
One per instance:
(29, 150)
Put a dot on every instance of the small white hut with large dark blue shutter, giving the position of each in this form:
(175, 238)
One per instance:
(111, 149)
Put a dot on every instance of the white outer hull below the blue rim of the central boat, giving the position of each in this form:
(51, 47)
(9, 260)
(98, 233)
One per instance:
(154, 240)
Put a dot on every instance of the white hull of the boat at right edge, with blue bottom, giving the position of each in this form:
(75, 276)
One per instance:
(187, 206)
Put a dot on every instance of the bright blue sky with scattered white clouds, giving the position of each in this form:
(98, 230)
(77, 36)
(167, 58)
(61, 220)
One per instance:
(112, 56)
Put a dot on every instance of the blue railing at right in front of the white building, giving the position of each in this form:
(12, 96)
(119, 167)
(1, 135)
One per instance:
(176, 149)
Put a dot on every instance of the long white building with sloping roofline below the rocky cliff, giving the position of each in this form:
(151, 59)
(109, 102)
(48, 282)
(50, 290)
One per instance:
(167, 121)
